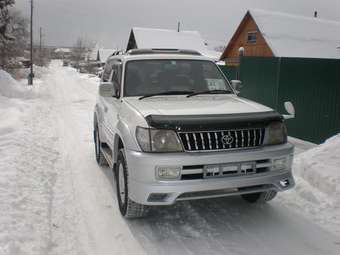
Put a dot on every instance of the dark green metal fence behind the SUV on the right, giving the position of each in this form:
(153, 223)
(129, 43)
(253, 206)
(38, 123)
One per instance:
(312, 85)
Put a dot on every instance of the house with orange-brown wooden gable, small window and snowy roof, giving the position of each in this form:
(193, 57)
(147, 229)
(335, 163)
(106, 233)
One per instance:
(268, 34)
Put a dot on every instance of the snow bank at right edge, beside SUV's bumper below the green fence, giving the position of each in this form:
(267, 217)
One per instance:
(317, 190)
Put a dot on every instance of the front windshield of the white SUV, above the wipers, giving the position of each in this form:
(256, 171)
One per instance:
(146, 77)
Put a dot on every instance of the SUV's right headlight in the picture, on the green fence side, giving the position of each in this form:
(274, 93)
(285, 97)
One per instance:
(276, 133)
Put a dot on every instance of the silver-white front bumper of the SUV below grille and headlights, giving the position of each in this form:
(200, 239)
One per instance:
(146, 188)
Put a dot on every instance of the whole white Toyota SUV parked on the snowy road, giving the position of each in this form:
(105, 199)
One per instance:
(172, 128)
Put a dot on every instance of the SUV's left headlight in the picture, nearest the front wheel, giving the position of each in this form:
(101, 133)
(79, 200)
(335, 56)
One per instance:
(158, 140)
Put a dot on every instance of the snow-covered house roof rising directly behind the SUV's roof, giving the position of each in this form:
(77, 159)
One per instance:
(150, 38)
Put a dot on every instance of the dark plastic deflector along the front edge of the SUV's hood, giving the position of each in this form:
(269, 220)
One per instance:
(212, 121)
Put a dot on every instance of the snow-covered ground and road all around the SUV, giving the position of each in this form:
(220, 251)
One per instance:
(54, 199)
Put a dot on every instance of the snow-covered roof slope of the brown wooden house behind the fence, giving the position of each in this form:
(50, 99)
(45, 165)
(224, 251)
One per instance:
(298, 36)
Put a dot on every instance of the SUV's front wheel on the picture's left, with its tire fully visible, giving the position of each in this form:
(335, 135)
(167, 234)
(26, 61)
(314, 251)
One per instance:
(128, 208)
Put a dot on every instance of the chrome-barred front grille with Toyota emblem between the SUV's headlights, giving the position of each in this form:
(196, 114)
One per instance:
(222, 140)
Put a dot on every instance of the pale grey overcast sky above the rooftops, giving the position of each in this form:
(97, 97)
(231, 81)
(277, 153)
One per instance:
(108, 22)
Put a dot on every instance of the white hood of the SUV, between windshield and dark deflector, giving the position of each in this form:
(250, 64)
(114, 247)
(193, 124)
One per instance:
(198, 105)
